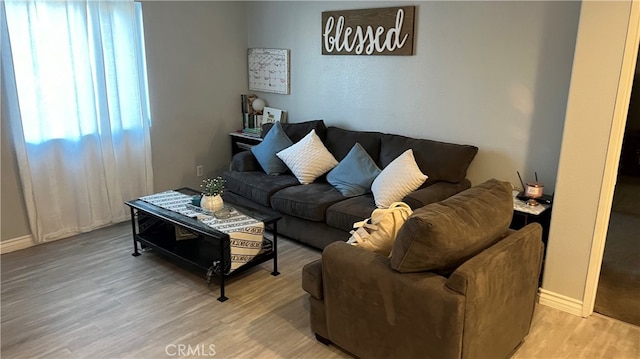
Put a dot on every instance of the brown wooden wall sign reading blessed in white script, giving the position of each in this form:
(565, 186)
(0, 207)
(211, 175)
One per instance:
(384, 31)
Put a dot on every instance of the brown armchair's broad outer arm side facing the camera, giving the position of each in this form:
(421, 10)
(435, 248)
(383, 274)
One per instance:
(374, 312)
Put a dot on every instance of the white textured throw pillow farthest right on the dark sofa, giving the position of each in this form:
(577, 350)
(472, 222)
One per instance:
(401, 177)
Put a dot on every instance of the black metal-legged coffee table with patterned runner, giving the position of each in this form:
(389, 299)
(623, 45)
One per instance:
(155, 227)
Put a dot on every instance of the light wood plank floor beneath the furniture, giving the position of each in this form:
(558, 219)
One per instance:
(87, 297)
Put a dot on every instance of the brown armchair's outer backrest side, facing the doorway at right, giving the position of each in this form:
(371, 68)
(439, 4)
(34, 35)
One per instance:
(502, 281)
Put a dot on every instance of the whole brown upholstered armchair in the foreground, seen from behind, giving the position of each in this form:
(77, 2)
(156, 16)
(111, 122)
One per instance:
(459, 284)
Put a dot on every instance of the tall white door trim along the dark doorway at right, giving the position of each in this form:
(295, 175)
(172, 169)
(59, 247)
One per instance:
(610, 175)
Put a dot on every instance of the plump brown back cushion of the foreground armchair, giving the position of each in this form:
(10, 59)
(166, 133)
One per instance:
(441, 236)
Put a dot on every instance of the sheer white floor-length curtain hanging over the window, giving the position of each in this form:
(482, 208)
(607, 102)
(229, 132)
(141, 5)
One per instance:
(75, 79)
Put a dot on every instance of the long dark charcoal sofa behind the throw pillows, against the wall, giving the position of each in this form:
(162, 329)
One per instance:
(317, 214)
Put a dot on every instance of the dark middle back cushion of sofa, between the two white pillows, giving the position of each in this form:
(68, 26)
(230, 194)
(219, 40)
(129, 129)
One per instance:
(340, 141)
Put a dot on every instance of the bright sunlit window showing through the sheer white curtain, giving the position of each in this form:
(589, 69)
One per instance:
(59, 58)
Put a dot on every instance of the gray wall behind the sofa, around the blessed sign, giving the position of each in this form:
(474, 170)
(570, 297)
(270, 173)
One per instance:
(492, 74)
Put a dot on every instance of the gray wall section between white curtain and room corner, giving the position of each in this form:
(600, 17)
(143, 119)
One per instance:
(196, 57)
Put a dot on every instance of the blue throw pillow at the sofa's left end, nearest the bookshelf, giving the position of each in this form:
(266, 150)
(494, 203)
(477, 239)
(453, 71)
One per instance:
(265, 152)
